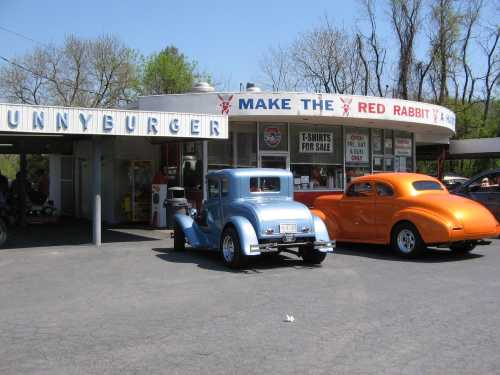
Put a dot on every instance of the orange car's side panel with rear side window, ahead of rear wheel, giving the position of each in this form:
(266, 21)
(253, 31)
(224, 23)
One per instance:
(385, 208)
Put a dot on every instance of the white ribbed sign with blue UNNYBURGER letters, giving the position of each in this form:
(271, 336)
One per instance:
(92, 121)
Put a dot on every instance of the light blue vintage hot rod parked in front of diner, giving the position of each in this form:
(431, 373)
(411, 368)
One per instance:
(251, 211)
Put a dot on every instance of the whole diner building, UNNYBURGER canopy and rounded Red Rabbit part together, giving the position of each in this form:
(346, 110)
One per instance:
(324, 139)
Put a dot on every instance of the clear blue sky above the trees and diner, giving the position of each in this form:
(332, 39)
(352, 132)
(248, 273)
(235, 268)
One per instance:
(226, 38)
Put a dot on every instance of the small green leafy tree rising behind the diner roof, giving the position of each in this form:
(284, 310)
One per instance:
(168, 72)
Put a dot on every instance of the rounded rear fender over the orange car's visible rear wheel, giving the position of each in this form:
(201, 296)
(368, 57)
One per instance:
(432, 228)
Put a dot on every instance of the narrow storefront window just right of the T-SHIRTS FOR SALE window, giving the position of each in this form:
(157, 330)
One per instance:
(357, 152)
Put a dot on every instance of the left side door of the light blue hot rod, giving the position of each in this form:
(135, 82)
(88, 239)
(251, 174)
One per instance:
(211, 219)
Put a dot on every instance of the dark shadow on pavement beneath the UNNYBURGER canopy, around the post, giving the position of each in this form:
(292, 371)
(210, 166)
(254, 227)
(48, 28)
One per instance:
(71, 232)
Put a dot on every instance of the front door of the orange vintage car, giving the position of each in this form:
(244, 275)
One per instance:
(357, 211)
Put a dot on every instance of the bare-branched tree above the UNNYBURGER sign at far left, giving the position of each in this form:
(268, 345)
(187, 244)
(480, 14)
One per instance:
(100, 72)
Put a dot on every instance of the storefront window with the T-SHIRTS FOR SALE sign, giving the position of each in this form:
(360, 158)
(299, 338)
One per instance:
(316, 157)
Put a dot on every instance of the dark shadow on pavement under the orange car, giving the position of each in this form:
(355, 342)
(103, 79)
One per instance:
(431, 255)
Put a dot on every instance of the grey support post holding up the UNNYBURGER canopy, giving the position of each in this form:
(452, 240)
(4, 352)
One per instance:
(96, 191)
